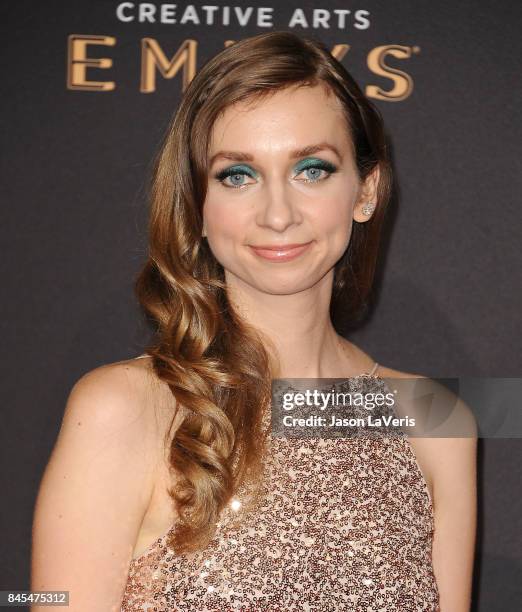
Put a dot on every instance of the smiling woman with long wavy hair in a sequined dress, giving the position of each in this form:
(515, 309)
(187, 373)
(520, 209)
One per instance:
(165, 490)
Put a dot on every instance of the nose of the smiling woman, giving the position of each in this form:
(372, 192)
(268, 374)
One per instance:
(278, 209)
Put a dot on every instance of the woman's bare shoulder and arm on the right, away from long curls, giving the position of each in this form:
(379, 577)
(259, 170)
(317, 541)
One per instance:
(447, 457)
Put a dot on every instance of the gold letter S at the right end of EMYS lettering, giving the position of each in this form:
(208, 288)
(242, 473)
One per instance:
(403, 83)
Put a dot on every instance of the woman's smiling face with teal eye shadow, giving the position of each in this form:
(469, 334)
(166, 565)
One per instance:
(281, 173)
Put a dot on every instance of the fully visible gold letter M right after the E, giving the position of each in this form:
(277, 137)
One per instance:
(152, 57)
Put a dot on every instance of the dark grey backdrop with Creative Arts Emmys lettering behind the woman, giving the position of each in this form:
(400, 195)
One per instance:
(88, 89)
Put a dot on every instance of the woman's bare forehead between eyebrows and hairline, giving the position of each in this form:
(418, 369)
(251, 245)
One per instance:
(285, 119)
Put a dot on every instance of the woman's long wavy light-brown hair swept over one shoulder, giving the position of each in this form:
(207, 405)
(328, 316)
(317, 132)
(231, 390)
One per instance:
(218, 367)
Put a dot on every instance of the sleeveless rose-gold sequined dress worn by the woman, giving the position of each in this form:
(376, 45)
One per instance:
(342, 524)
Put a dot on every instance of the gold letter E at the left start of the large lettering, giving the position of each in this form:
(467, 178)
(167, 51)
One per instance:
(78, 62)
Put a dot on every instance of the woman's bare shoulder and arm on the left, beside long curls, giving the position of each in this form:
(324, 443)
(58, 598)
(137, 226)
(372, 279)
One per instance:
(98, 484)
